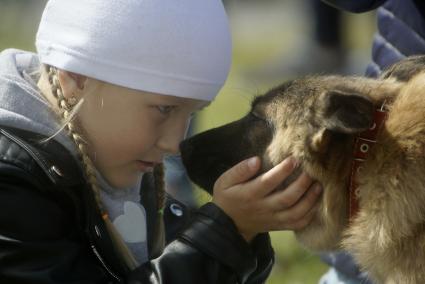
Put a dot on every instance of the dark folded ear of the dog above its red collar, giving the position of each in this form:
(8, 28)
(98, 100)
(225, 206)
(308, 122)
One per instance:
(346, 112)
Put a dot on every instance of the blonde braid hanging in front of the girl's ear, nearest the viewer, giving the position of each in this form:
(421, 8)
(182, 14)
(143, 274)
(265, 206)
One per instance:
(68, 112)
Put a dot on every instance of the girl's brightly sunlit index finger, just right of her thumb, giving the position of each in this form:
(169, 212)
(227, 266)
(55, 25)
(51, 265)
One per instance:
(267, 182)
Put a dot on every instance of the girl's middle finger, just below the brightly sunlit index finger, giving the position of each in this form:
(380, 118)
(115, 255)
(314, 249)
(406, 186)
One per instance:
(287, 197)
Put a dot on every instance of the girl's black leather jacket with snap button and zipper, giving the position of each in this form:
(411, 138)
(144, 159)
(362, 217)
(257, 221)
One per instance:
(52, 232)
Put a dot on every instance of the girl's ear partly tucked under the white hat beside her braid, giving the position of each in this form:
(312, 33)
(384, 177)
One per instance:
(72, 84)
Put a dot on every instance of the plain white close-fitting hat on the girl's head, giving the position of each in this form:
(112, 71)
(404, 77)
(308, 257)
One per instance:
(173, 47)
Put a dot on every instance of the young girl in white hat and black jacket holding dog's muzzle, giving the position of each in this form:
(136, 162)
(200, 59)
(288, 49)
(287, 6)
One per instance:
(85, 124)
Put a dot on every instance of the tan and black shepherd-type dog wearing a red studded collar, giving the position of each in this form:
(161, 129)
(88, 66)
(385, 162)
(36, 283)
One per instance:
(318, 120)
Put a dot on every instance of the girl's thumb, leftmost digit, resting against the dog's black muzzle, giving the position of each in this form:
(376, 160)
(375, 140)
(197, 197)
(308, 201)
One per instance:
(238, 174)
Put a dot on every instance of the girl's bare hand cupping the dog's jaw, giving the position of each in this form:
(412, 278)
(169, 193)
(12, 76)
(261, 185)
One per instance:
(255, 208)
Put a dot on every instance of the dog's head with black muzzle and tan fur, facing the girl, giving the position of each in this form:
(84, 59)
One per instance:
(313, 119)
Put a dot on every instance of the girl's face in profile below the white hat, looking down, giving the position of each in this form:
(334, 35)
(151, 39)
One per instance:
(130, 131)
